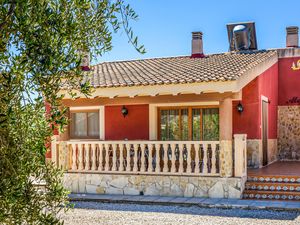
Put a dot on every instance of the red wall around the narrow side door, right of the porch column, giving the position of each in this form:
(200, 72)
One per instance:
(249, 121)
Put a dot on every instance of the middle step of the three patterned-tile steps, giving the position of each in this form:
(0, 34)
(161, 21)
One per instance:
(270, 186)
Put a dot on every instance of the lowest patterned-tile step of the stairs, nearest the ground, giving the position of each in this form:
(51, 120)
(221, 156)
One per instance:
(271, 195)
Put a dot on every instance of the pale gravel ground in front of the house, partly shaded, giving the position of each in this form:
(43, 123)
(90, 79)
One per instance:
(112, 213)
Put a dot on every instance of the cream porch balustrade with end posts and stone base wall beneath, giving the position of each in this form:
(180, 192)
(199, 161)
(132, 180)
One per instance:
(165, 168)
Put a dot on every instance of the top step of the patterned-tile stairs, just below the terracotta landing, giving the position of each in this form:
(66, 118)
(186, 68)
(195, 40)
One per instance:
(280, 179)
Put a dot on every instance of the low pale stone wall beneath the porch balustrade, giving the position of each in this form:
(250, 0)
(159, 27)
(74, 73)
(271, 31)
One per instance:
(210, 187)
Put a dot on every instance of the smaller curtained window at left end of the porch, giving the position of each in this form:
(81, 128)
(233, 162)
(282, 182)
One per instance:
(85, 124)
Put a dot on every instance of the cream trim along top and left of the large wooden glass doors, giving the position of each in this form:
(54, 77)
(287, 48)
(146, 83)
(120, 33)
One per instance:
(153, 114)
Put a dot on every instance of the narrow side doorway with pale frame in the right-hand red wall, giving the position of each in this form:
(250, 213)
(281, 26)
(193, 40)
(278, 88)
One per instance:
(264, 154)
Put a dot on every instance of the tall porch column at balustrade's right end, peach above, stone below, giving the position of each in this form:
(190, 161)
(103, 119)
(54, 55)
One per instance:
(226, 158)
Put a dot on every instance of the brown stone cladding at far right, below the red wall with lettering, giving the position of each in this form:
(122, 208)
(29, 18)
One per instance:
(289, 132)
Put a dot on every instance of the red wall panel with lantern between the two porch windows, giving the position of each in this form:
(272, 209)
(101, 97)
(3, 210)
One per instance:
(134, 126)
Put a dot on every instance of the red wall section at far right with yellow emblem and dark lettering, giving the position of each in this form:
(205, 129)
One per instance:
(289, 82)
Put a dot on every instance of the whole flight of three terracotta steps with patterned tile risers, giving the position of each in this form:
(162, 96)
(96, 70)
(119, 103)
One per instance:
(272, 187)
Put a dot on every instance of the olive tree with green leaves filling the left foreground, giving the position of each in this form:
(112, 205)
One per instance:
(41, 42)
